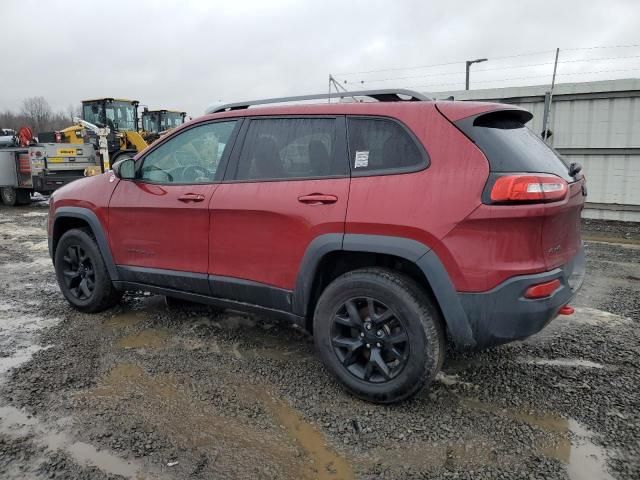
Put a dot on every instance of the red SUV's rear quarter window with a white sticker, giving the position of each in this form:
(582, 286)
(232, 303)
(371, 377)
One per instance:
(377, 144)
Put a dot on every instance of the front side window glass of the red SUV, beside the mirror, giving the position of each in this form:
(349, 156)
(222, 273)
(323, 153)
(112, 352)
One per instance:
(190, 157)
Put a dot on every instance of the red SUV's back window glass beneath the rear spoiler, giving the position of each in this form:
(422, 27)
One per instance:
(510, 146)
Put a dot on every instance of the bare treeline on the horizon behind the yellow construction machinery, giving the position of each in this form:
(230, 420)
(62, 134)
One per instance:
(36, 113)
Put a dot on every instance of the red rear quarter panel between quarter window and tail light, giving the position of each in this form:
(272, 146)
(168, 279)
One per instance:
(424, 205)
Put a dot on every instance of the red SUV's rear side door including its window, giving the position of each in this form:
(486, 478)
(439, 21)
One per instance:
(286, 184)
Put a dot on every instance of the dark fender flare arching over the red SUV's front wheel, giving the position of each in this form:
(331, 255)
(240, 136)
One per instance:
(67, 218)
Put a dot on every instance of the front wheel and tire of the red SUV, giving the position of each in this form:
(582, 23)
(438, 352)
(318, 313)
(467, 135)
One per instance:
(82, 274)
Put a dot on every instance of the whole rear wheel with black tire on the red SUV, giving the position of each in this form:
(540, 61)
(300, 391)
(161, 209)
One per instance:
(386, 357)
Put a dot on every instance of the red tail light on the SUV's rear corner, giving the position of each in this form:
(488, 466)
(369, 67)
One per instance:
(529, 188)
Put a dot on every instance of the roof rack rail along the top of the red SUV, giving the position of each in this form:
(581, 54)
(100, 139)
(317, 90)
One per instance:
(383, 95)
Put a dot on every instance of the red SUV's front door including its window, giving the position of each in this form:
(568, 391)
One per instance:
(159, 222)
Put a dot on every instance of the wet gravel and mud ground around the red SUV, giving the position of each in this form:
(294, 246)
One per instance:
(145, 391)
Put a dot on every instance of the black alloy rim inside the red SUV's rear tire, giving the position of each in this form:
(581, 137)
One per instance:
(369, 340)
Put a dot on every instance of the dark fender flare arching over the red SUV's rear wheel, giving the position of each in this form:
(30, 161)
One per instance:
(416, 252)
